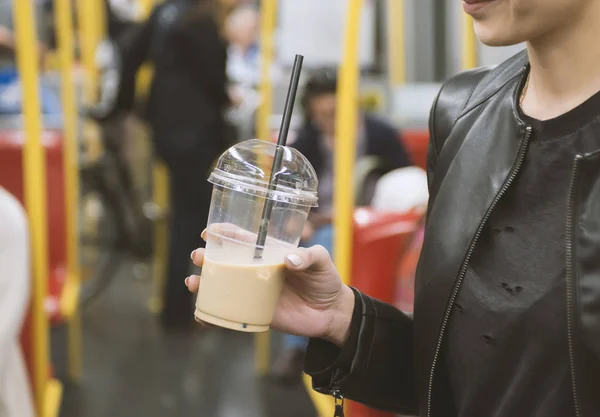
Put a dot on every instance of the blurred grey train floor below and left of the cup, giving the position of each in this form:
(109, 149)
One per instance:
(132, 369)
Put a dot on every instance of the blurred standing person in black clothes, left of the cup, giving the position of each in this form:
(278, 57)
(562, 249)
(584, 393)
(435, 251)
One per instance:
(185, 109)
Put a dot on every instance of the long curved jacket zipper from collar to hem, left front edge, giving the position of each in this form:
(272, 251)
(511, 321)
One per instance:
(463, 271)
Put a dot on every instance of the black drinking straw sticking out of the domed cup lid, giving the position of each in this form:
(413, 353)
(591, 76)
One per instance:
(278, 158)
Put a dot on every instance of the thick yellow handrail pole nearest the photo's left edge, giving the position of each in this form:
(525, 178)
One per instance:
(34, 165)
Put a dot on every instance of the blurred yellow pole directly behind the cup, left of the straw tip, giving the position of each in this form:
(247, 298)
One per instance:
(268, 22)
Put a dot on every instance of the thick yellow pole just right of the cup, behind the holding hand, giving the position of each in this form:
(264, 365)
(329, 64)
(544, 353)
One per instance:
(346, 130)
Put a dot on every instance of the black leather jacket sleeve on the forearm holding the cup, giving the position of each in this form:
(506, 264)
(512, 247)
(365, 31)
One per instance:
(376, 365)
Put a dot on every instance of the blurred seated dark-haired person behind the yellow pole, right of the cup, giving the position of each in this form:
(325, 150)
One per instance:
(316, 140)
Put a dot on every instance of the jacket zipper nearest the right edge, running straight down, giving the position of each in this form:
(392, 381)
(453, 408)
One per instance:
(569, 279)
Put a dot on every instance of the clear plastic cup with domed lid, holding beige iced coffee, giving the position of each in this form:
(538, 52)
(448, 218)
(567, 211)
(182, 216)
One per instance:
(241, 283)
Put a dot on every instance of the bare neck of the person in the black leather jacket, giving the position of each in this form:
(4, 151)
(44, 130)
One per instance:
(565, 67)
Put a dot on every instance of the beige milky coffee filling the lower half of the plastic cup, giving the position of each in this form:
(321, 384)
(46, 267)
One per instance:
(239, 296)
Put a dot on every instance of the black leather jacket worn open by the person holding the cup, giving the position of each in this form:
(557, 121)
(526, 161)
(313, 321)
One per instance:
(478, 144)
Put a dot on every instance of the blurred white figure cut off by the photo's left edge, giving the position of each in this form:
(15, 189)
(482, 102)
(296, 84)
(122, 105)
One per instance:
(15, 394)
